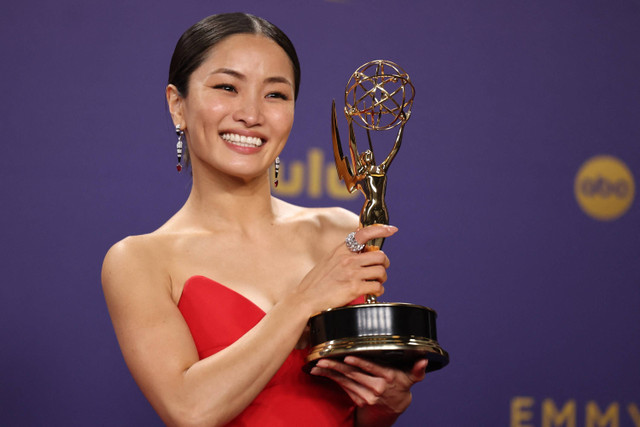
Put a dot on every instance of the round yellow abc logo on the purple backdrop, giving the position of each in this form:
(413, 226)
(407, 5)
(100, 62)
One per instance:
(604, 188)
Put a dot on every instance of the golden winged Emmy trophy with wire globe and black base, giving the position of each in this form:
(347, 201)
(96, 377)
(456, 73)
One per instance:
(378, 97)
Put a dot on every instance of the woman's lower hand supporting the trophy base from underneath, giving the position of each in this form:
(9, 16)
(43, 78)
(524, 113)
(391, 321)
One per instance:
(384, 390)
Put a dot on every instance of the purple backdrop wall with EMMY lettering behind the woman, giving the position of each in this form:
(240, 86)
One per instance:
(539, 303)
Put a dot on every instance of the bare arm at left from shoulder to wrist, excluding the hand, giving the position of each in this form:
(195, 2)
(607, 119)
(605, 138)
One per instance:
(161, 355)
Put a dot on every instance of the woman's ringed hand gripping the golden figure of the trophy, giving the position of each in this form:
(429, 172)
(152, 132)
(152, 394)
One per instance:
(343, 276)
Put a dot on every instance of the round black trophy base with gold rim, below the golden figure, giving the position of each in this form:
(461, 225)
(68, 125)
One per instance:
(390, 334)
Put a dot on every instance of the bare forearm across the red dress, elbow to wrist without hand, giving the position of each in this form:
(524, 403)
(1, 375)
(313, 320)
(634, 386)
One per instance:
(214, 390)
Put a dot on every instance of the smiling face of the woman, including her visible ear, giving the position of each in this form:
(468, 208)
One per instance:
(239, 110)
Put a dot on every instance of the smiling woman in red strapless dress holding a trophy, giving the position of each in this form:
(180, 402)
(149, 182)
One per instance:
(210, 309)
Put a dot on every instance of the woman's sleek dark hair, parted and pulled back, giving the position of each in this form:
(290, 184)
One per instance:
(195, 43)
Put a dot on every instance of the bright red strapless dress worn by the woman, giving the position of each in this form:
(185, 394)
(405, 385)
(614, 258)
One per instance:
(217, 316)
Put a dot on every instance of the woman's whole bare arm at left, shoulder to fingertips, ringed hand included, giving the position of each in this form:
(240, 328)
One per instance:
(160, 353)
